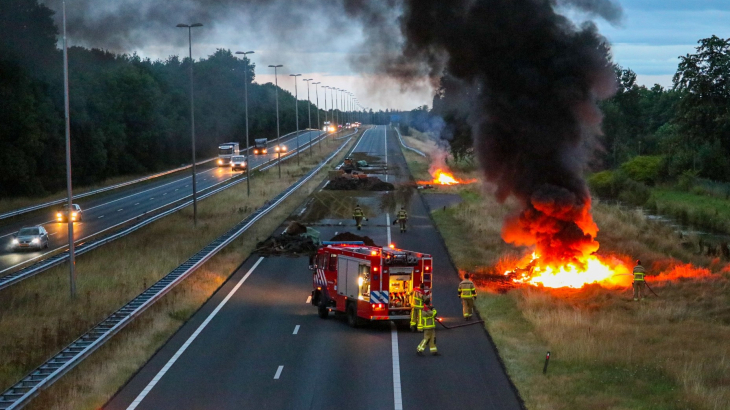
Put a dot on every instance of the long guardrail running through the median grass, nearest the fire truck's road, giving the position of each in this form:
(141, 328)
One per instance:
(45, 375)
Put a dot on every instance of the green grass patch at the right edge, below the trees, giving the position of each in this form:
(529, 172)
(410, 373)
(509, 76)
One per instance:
(703, 211)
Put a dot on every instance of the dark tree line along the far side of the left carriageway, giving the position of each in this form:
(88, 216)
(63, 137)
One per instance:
(129, 115)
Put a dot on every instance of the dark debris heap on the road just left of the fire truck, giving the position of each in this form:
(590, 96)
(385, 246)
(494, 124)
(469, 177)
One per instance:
(296, 240)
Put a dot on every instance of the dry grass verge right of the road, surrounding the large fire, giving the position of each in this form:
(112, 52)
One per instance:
(607, 351)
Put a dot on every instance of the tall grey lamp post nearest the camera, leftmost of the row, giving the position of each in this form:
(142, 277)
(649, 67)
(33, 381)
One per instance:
(72, 257)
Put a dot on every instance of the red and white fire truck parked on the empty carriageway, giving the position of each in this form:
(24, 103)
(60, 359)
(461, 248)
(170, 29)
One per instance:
(367, 283)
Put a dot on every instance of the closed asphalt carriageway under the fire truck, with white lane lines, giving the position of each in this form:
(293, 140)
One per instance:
(258, 343)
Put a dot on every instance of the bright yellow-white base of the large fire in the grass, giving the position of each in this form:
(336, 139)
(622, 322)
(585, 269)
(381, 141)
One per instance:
(591, 269)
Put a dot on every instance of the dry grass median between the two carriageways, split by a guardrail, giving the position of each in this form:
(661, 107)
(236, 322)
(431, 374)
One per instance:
(37, 317)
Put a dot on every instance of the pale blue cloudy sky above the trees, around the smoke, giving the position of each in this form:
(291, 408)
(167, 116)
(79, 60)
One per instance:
(649, 40)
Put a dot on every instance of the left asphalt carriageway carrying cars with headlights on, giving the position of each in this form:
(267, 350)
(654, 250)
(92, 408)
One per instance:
(106, 211)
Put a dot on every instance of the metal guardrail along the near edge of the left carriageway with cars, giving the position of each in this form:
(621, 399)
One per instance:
(32, 270)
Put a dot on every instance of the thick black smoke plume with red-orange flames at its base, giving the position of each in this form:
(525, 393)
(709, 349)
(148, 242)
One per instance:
(534, 78)
